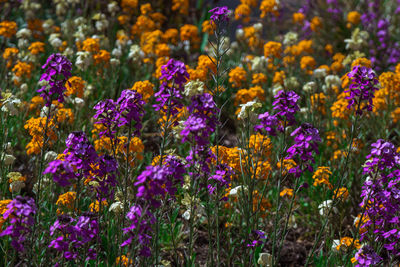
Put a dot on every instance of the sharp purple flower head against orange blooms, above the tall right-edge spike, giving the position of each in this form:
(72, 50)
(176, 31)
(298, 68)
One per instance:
(362, 88)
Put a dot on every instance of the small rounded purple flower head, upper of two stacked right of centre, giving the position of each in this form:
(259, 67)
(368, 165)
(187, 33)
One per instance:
(286, 106)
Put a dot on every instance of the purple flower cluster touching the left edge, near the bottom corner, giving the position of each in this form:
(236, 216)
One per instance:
(20, 212)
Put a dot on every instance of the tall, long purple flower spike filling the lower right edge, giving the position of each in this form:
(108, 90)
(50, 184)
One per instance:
(381, 200)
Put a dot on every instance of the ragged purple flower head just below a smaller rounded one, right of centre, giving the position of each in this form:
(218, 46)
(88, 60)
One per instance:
(306, 139)
